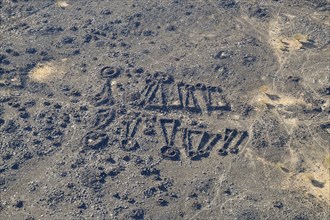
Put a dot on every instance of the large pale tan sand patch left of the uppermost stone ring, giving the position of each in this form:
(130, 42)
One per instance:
(47, 71)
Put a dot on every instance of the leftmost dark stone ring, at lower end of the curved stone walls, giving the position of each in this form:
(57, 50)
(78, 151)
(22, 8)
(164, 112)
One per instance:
(95, 140)
